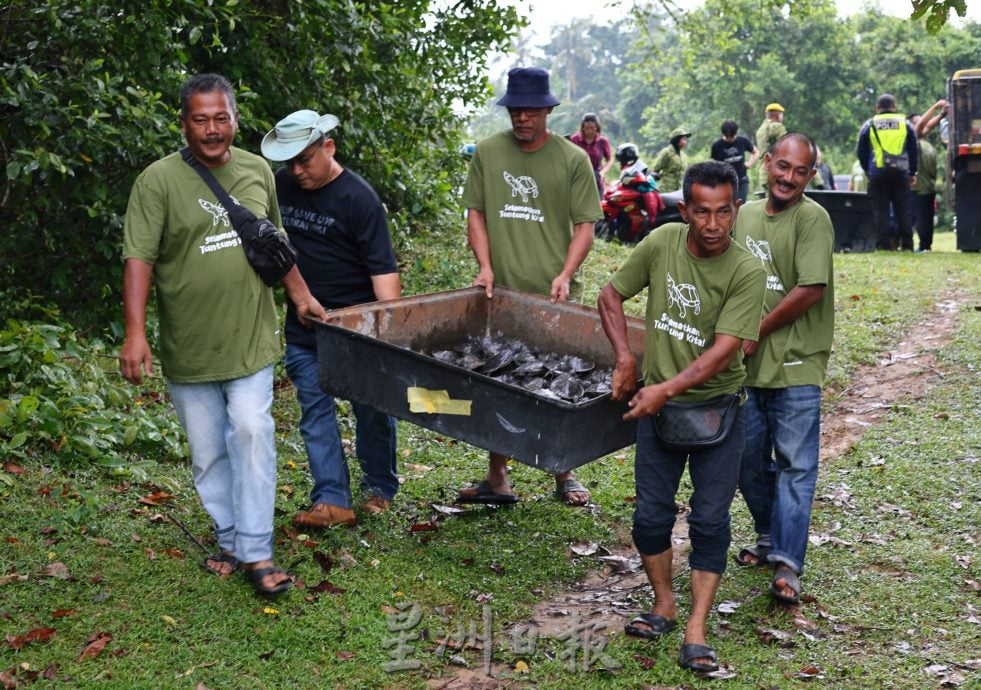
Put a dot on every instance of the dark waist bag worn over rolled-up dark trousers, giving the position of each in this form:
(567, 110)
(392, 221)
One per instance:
(691, 426)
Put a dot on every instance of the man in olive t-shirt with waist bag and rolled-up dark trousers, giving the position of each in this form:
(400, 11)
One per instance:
(704, 294)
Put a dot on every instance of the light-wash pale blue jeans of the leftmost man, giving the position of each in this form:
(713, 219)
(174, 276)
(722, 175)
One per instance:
(231, 433)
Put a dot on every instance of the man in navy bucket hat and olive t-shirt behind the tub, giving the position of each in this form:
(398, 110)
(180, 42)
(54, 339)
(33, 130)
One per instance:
(532, 202)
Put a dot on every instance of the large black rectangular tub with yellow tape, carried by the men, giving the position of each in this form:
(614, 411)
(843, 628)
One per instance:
(371, 354)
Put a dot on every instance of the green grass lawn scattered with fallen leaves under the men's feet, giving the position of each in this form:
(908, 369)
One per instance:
(99, 584)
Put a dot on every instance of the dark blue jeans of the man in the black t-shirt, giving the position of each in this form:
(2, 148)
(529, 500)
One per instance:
(375, 438)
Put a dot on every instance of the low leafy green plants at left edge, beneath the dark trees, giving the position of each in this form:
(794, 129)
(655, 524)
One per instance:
(58, 403)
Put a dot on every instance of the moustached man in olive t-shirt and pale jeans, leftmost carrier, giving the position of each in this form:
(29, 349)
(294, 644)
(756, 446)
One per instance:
(219, 330)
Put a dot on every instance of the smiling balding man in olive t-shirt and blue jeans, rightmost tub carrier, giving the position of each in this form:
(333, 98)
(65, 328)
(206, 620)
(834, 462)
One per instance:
(794, 238)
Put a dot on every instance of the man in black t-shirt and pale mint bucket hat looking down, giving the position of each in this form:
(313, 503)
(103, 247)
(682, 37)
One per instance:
(339, 228)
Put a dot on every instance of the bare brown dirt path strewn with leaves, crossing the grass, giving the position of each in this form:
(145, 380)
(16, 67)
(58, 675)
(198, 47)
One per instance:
(606, 597)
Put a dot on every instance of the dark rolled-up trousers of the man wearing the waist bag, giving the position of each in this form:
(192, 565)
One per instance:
(714, 474)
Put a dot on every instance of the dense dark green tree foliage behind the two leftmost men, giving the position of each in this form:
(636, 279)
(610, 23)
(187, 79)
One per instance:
(89, 96)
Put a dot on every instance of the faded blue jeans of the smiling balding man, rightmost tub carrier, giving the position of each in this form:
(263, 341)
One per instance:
(779, 467)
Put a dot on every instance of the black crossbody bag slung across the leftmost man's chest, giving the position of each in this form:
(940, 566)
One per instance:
(268, 250)
